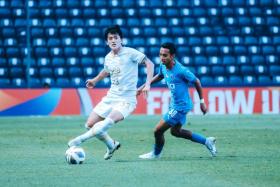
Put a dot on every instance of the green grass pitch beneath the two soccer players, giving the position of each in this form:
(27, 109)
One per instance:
(32, 153)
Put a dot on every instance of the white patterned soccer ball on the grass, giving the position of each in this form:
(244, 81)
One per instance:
(75, 155)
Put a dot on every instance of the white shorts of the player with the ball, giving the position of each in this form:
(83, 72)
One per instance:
(106, 105)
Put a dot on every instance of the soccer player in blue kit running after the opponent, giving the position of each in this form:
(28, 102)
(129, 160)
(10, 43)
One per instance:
(177, 78)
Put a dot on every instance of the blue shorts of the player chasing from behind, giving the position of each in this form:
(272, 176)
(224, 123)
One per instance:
(174, 117)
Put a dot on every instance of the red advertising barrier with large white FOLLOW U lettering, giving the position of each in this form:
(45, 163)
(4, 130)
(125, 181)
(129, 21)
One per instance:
(55, 101)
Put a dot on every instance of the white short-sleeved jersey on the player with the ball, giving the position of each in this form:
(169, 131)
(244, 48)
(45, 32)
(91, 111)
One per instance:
(123, 69)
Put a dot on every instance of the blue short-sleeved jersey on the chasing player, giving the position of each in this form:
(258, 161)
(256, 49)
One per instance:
(177, 80)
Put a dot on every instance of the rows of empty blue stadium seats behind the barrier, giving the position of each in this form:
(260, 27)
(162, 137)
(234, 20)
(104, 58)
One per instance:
(225, 43)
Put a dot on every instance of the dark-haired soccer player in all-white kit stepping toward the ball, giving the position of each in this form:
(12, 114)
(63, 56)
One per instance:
(121, 63)
